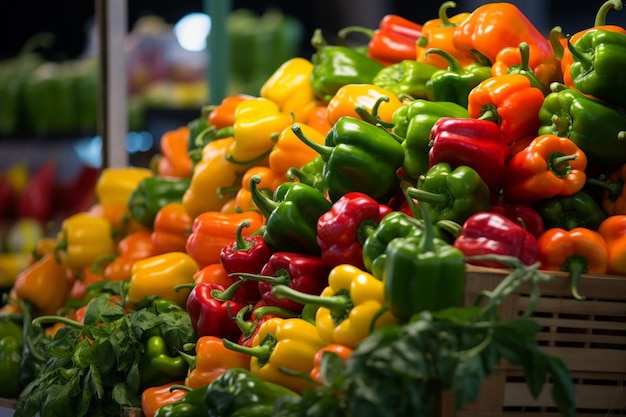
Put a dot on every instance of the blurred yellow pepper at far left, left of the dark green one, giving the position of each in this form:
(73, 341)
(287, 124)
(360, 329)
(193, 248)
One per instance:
(115, 185)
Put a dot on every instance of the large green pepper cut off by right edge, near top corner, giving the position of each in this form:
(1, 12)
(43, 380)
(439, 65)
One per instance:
(599, 67)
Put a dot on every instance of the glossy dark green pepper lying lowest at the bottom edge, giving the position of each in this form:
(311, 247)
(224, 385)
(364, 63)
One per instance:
(240, 393)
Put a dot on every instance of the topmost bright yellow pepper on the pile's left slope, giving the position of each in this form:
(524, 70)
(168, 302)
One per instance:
(290, 87)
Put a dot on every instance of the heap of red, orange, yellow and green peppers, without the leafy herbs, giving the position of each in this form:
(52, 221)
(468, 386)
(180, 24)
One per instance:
(351, 193)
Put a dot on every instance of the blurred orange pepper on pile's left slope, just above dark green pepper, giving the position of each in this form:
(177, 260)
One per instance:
(174, 160)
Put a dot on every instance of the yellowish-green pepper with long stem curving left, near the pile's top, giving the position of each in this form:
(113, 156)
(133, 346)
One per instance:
(454, 83)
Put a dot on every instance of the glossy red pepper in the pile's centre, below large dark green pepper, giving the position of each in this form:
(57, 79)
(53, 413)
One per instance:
(342, 231)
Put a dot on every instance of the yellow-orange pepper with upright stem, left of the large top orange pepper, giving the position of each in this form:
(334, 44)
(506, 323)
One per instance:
(439, 33)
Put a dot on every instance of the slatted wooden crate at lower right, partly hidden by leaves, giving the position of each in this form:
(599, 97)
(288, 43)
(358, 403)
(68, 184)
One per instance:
(590, 335)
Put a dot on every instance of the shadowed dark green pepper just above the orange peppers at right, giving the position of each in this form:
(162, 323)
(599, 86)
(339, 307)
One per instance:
(568, 212)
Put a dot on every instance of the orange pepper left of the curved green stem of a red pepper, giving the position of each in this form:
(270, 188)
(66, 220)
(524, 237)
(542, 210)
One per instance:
(212, 230)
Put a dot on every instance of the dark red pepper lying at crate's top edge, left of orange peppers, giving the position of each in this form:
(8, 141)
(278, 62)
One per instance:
(486, 233)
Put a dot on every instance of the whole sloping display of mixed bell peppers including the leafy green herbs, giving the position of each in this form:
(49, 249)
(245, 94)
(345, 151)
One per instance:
(304, 251)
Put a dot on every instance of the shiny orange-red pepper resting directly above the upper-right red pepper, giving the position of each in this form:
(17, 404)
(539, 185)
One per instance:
(512, 102)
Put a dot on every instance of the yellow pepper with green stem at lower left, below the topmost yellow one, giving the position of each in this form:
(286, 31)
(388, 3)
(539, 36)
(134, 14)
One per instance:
(258, 122)
